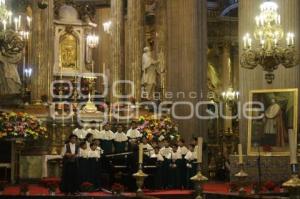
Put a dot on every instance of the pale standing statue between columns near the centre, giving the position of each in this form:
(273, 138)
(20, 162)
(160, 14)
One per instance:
(150, 70)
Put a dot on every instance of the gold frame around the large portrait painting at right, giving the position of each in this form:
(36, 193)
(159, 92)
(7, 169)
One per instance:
(250, 149)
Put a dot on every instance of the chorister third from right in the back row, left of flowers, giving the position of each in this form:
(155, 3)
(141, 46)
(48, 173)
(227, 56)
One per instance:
(106, 139)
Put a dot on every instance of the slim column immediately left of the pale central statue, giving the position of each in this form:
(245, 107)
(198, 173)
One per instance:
(135, 46)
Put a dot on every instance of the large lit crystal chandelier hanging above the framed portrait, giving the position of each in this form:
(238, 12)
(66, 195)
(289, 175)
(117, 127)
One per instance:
(268, 53)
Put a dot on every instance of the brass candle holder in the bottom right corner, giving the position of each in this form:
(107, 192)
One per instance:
(293, 184)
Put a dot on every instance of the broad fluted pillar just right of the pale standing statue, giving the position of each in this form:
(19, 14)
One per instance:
(187, 62)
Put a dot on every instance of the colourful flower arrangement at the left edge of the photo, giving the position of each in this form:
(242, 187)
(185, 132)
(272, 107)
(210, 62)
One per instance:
(20, 125)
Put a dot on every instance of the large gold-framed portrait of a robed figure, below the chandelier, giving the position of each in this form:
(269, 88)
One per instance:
(269, 135)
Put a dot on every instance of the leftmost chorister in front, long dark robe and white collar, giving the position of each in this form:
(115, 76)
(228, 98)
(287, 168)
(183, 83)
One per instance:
(69, 183)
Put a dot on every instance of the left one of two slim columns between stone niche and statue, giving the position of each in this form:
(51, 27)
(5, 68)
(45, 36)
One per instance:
(117, 48)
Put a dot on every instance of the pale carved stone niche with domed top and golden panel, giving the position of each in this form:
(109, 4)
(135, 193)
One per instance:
(71, 55)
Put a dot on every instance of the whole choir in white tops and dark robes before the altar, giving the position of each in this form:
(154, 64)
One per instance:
(85, 158)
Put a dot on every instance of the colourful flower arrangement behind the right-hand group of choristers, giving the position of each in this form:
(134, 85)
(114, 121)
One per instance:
(158, 129)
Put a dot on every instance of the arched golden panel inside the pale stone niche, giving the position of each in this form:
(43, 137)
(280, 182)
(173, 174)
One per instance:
(68, 48)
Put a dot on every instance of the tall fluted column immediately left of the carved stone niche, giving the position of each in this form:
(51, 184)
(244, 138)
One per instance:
(41, 56)
